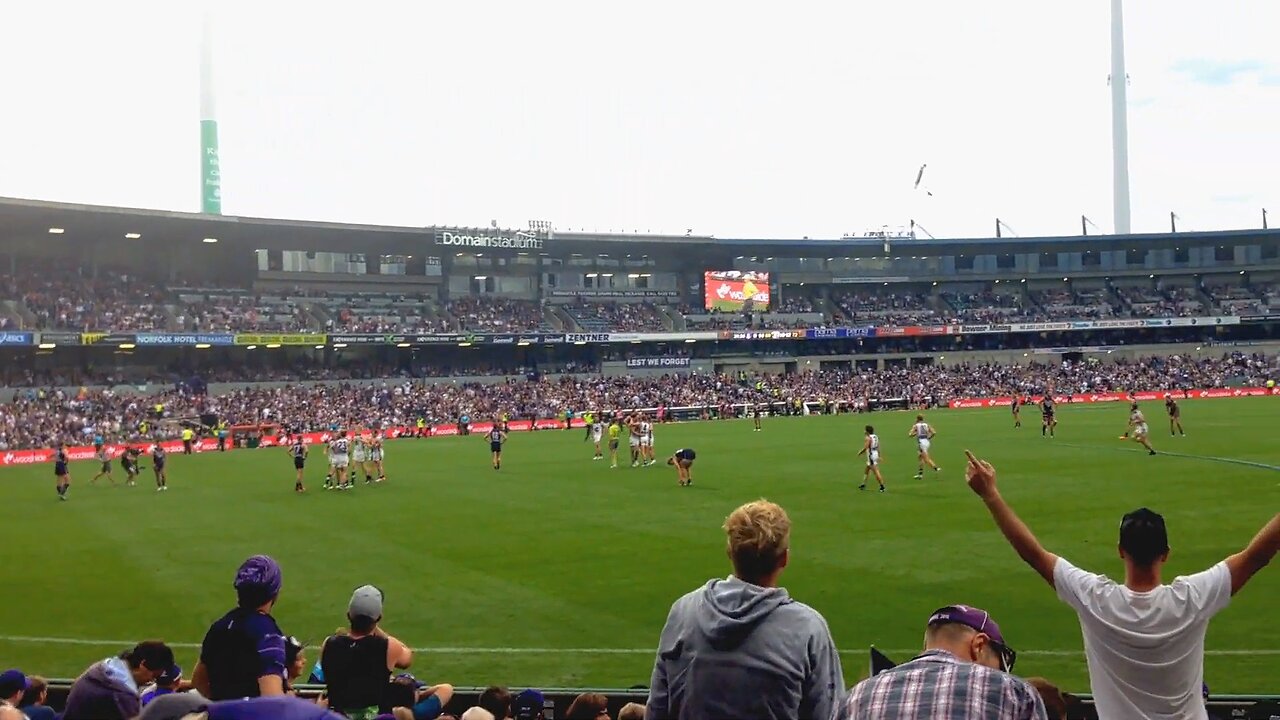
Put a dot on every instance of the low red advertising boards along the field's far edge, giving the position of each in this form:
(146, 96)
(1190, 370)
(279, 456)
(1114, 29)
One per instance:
(207, 444)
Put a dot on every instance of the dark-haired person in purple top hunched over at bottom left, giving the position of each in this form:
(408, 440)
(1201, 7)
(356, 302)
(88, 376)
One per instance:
(109, 690)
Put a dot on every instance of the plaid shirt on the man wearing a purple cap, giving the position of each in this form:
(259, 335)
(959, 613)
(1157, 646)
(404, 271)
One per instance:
(936, 686)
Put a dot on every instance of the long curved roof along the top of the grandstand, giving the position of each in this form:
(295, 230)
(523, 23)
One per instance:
(31, 220)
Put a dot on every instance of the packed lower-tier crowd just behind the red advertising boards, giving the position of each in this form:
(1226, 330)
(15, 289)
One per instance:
(38, 418)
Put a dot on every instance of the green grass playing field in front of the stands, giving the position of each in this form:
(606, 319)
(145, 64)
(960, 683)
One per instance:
(560, 572)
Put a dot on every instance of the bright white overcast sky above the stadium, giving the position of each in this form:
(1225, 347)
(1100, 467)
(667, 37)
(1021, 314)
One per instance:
(733, 119)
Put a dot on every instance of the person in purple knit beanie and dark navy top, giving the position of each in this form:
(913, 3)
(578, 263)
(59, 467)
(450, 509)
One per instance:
(244, 653)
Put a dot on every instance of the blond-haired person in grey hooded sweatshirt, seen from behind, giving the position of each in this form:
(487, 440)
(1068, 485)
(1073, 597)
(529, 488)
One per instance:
(740, 648)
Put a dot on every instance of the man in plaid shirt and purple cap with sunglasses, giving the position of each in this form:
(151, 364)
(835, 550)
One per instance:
(964, 669)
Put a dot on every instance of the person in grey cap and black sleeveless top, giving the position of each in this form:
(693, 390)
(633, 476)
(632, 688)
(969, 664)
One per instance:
(358, 664)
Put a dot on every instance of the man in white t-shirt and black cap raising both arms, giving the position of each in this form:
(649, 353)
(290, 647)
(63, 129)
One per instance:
(1145, 641)
